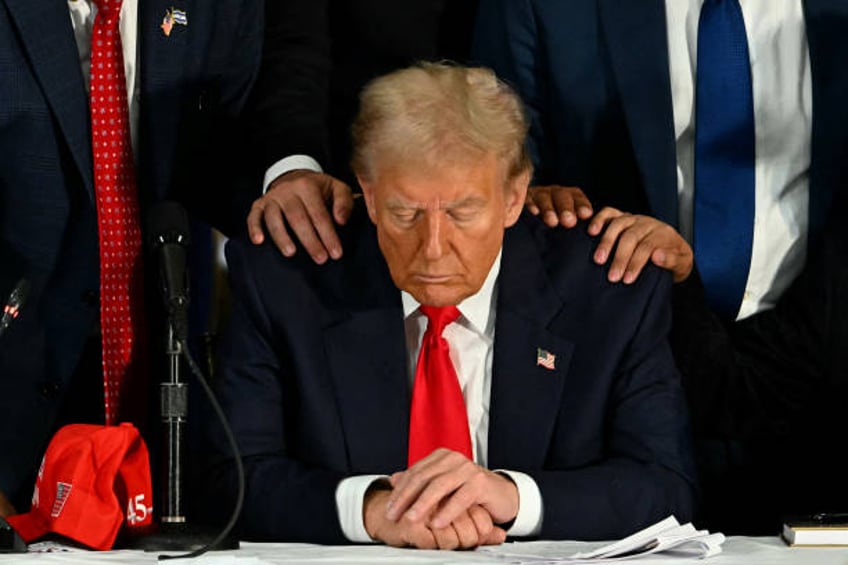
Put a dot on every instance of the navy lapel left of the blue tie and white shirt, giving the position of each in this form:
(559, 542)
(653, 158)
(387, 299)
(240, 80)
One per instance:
(638, 46)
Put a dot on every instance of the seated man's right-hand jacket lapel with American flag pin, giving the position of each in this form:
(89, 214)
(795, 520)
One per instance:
(526, 396)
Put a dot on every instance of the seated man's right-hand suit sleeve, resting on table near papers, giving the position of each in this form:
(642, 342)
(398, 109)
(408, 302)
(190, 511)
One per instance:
(646, 472)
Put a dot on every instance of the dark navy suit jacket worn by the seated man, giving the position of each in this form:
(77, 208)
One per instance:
(313, 379)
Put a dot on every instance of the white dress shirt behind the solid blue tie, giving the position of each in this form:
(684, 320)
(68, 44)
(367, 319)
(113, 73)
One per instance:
(782, 90)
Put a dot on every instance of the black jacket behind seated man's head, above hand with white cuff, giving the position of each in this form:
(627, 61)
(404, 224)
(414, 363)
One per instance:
(318, 54)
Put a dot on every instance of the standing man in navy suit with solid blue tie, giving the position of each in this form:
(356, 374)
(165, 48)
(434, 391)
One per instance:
(724, 119)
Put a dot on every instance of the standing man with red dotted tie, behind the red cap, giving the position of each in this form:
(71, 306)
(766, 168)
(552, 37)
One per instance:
(108, 107)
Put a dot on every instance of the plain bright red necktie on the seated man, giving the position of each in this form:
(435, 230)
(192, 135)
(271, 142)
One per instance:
(437, 416)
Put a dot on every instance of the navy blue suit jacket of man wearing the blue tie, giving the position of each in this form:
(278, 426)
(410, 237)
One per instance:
(594, 76)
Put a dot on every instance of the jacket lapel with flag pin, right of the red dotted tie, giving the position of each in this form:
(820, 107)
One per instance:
(163, 68)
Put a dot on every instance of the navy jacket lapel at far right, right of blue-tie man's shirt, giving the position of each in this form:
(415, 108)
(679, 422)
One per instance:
(825, 26)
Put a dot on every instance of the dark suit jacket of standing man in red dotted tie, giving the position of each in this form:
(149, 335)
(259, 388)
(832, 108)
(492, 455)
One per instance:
(193, 84)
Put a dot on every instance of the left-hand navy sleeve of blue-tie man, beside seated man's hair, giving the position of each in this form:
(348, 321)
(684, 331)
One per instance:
(506, 39)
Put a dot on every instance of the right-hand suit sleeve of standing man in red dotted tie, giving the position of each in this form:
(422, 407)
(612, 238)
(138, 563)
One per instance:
(210, 176)
